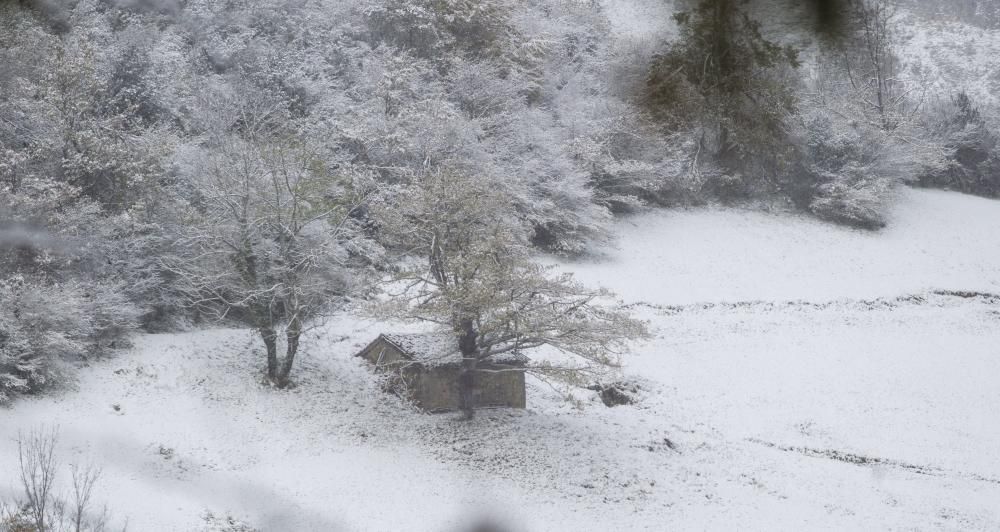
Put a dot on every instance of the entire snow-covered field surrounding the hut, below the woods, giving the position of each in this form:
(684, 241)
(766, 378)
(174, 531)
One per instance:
(803, 376)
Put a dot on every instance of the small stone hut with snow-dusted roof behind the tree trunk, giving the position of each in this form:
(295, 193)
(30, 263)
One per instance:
(426, 367)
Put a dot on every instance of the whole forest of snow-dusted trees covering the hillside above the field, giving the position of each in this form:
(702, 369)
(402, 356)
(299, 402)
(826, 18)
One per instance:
(167, 164)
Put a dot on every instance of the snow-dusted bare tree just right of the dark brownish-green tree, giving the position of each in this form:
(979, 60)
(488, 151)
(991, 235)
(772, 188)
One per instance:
(863, 121)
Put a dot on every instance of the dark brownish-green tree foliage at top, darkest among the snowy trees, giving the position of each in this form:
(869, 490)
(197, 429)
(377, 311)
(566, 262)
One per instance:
(723, 76)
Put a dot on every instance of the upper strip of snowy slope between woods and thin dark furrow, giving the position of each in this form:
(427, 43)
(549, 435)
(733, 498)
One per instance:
(934, 241)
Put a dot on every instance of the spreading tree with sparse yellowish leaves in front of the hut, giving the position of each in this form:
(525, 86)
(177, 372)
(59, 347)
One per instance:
(477, 279)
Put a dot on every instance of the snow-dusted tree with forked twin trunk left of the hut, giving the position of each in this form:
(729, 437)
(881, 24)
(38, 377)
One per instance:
(268, 243)
